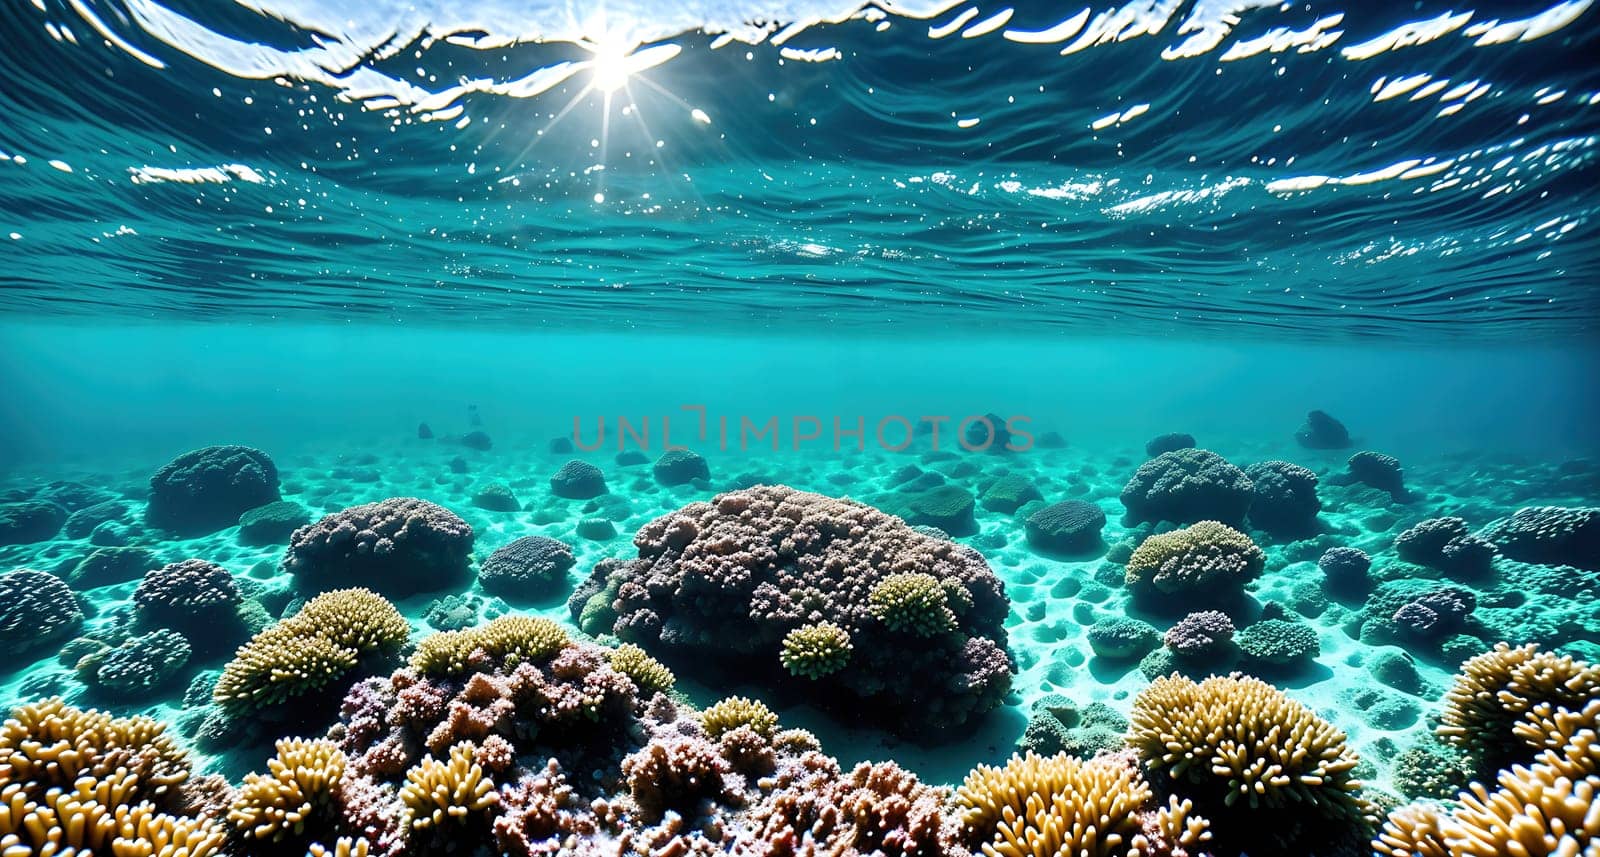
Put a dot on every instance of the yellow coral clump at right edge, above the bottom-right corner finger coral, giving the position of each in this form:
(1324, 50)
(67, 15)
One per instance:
(1497, 690)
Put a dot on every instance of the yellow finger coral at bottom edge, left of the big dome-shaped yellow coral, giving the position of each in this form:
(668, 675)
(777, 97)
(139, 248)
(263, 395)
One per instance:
(1038, 807)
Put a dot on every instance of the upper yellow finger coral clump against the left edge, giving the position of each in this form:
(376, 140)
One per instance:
(52, 744)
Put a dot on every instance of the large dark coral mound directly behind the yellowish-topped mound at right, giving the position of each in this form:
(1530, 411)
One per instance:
(1188, 485)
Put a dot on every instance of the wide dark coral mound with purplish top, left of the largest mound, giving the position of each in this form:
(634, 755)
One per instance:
(399, 548)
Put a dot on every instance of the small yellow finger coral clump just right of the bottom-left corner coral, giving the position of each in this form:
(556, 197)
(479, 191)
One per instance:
(298, 783)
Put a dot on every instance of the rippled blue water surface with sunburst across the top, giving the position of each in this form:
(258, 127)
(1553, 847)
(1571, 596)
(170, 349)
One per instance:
(1244, 170)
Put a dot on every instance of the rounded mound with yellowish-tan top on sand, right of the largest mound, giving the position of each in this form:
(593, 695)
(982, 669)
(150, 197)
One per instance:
(1207, 562)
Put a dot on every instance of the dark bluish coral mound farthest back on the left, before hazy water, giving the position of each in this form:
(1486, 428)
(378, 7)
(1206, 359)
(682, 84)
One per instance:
(207, 490)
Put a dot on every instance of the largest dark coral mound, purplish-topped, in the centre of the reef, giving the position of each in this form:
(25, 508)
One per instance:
(732, 578)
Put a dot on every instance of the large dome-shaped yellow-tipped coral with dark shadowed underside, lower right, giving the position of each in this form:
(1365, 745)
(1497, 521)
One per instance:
(1238, 747)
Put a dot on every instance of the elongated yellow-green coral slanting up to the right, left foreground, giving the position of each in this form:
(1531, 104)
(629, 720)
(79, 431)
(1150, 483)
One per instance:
(311, 650)
